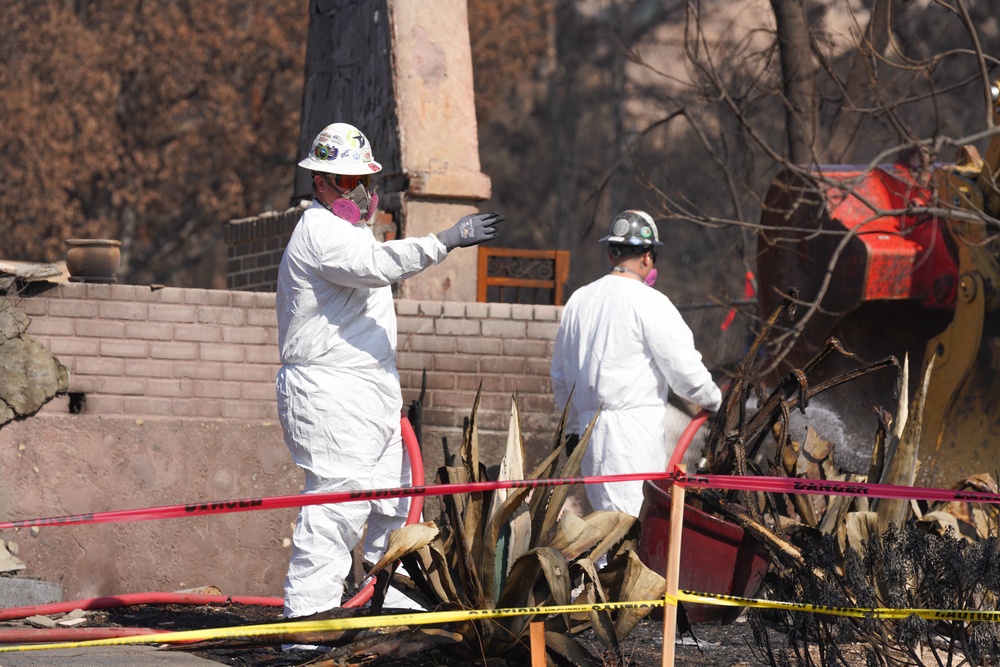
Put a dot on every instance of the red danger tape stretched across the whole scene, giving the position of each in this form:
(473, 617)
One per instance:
(740, 483)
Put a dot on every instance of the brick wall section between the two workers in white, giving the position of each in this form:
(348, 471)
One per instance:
(505, 348)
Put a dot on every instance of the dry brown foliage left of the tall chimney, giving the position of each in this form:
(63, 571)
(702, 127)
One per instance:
(150, 122)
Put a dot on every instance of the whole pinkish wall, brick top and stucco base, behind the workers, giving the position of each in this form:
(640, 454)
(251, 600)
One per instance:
(178, 406)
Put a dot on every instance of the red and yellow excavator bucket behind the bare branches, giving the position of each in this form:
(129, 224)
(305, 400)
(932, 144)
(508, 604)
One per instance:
(876, 266)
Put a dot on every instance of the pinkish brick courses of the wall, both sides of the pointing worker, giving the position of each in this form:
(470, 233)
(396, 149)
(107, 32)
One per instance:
(131, 350)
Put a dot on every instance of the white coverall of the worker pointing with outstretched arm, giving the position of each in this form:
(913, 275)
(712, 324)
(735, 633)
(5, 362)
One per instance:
(339, 399)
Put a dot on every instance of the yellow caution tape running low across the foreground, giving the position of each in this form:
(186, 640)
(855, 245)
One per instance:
(438, 617)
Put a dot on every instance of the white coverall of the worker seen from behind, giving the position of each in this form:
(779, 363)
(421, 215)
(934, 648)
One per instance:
(624, 346)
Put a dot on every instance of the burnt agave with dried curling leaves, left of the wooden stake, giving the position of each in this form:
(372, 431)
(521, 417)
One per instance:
(518, 548)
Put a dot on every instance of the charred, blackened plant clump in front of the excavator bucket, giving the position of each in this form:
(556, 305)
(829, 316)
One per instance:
(847, 551)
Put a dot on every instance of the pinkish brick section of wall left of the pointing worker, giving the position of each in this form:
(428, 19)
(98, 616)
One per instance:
(132, 350)
